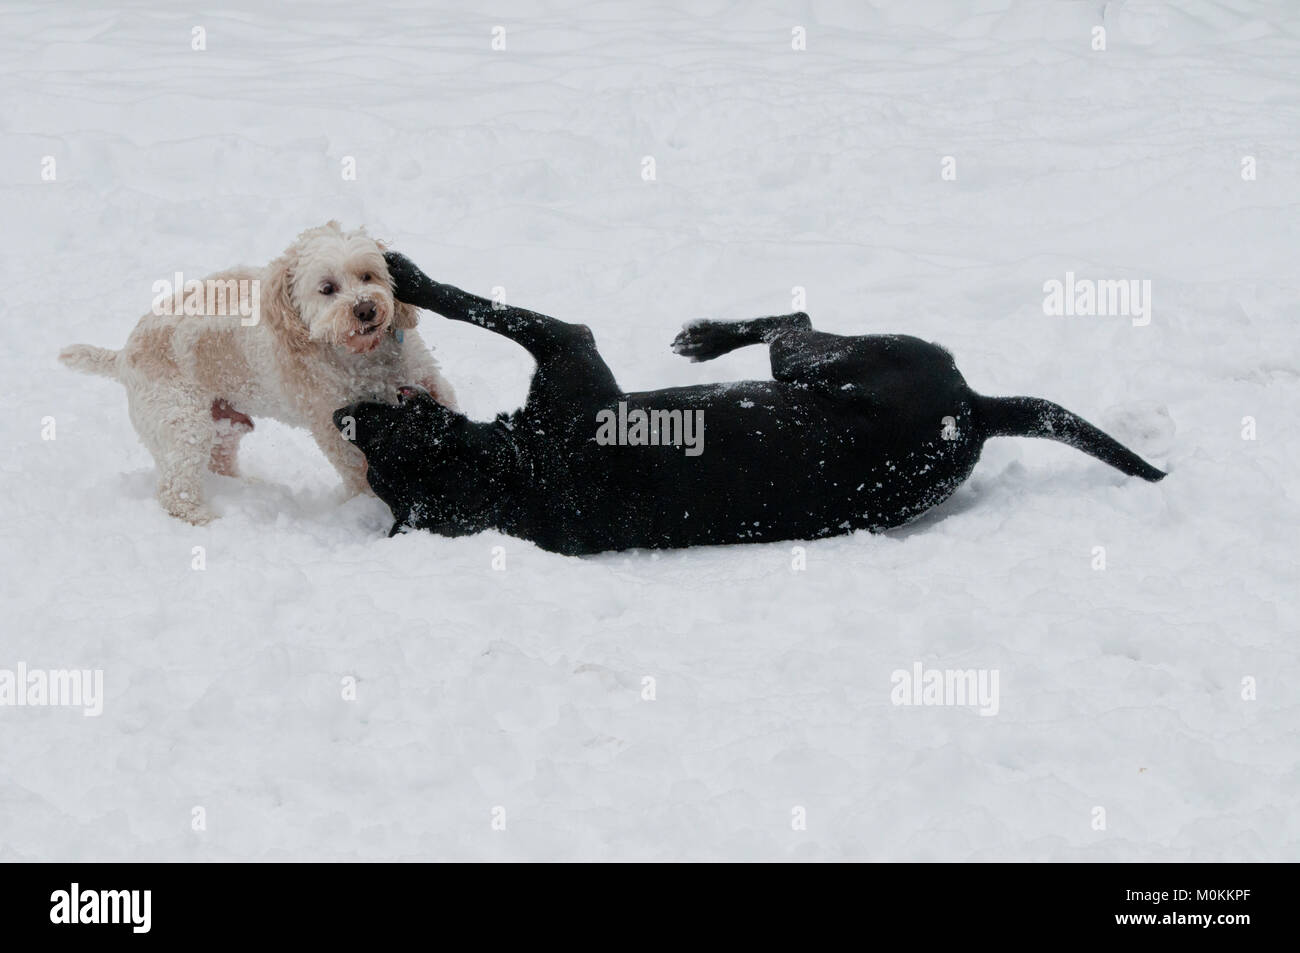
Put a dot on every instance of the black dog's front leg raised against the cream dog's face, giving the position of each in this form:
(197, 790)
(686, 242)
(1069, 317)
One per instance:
(562, 350)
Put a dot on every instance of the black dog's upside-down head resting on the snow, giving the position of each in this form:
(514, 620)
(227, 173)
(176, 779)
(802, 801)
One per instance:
(435, 467)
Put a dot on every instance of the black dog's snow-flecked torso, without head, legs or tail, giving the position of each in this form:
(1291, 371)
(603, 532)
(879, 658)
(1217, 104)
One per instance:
(773, 462)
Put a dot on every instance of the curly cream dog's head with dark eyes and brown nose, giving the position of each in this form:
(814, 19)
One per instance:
(333, 288)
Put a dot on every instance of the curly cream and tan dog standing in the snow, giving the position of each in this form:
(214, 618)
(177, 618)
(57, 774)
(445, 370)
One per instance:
(327, 332)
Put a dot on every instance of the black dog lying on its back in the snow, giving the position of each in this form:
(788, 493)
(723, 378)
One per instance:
(853, 434)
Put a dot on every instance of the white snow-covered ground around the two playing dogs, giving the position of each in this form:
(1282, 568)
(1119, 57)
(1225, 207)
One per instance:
(522, 690)
